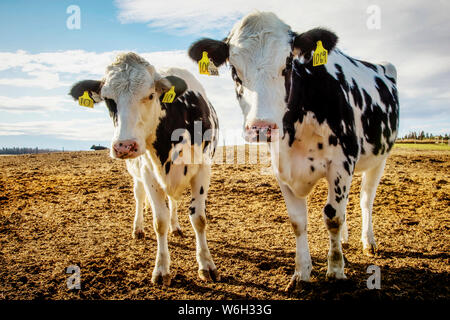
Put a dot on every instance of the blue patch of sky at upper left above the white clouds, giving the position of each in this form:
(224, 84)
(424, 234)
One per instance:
(40, 26)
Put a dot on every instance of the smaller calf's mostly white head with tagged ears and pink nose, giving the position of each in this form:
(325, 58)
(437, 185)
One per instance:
(131, 89)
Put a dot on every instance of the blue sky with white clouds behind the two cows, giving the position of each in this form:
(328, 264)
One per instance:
(41, 56)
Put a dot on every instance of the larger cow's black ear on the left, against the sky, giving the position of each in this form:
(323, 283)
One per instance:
(218, 51)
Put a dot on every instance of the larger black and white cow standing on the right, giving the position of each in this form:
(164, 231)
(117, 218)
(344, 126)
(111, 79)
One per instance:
(325, 121)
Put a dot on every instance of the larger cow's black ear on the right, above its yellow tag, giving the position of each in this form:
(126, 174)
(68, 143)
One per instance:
(307, 41)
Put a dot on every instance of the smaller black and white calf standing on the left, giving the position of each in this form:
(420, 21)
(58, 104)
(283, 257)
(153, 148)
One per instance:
(158, 141)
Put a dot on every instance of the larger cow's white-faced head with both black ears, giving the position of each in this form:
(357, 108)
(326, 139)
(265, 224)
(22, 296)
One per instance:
(260, 49)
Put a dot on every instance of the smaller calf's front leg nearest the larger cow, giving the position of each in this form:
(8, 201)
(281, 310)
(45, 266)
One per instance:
(207, 270)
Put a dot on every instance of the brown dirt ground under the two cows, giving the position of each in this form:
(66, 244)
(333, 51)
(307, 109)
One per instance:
(77, 208)
